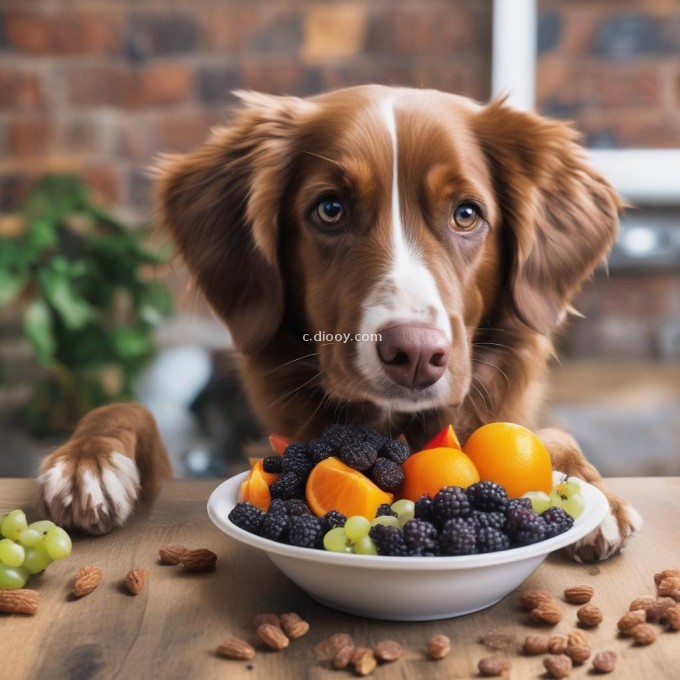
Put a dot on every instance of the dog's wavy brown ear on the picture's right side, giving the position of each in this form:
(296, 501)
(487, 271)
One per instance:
(562, 216)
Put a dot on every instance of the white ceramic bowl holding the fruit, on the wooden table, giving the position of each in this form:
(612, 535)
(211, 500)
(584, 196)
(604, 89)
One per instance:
(406, 588)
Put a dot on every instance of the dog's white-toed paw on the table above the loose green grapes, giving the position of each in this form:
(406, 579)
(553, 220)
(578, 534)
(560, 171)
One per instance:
(89, 486)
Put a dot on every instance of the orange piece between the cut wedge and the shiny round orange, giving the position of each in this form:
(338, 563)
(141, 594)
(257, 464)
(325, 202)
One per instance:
(429, 470)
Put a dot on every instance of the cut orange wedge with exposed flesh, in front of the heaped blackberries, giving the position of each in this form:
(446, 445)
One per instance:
(332, 485)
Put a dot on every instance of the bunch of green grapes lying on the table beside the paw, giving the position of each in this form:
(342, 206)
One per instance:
(27, 549)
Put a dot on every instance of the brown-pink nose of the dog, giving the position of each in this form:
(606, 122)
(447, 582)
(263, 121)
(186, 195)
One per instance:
(413, 356)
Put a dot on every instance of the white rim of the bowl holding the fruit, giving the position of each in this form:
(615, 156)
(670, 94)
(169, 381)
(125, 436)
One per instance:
(223, 499)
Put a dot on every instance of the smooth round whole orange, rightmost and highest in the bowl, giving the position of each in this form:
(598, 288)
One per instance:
(510, 455)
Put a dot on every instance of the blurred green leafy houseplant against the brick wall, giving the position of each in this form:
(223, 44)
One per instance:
(86, 289)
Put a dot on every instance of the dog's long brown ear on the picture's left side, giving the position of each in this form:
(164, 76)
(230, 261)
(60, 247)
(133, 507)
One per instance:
(221, 206)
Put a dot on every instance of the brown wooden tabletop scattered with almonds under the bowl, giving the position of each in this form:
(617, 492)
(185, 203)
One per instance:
(173, 627)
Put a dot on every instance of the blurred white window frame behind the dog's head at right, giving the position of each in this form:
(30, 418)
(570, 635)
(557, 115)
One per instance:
(649, 177)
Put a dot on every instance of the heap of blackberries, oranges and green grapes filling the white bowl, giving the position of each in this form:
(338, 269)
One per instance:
(338, 492)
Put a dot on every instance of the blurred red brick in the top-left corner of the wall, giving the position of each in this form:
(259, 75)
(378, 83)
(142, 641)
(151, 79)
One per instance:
(65, 32)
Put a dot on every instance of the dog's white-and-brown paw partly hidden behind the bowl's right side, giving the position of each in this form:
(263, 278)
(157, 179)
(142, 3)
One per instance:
(611, 536)
